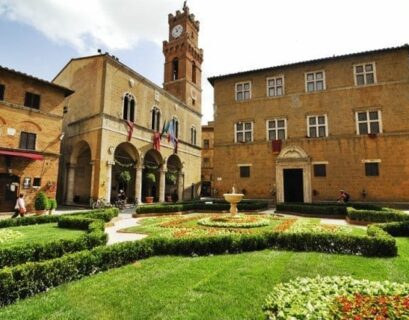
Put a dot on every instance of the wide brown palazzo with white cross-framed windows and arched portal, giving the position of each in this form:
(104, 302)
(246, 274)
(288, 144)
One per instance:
(303, 131)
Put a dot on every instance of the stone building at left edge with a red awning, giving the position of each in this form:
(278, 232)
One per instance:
(31, 114)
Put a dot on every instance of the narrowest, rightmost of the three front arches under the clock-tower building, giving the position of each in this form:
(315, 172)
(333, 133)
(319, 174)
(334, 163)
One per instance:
(174, 179)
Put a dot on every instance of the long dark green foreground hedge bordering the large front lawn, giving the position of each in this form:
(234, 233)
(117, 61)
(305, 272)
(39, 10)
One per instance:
(30, 278)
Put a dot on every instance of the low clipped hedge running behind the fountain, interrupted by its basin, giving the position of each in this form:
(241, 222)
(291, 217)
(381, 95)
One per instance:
(201, 206)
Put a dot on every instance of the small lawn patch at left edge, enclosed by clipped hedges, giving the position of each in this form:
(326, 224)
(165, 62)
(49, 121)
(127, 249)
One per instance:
(35, 233)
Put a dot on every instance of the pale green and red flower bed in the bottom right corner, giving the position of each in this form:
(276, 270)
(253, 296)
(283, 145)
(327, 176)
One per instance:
(337, 298)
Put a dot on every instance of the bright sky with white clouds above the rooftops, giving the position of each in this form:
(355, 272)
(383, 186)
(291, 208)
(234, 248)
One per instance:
(39, 37)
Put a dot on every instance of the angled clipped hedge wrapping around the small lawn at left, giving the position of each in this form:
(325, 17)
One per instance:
(94, 237)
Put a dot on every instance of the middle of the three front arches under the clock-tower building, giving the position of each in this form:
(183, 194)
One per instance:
(152, 165)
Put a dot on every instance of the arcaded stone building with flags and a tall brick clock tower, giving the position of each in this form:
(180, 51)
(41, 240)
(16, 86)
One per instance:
(115, 120)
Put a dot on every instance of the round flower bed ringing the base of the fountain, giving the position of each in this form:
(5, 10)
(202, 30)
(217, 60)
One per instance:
(234, 222)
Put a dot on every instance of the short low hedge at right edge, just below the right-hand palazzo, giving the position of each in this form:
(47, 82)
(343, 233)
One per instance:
(385, 215)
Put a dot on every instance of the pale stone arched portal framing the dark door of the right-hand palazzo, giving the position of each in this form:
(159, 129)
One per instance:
(293, 175)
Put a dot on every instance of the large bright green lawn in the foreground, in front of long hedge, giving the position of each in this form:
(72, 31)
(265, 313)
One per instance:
(214, 287)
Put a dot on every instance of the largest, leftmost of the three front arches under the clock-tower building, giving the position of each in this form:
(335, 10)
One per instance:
(123, 172)
